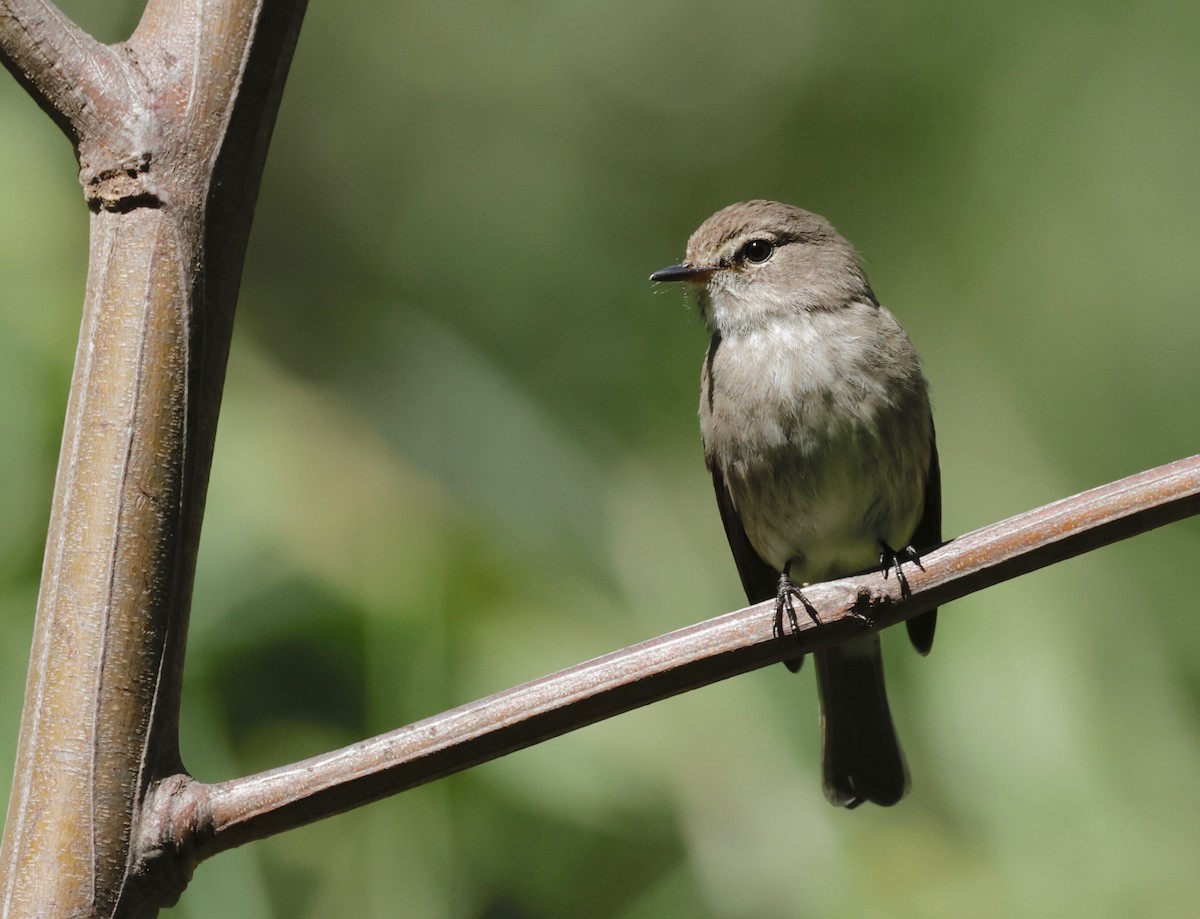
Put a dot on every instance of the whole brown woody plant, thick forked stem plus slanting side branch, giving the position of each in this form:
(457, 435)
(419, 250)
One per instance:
(171, 130)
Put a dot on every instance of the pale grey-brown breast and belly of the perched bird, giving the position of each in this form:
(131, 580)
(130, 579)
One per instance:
(824, 455)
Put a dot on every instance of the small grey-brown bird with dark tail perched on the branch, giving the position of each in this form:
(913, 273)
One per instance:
(818, 431)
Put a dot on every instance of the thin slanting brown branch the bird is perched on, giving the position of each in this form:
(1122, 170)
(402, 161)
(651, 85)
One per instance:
(202, 820)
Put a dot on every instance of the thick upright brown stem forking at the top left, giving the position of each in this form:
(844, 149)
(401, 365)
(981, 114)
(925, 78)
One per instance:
(171, 130)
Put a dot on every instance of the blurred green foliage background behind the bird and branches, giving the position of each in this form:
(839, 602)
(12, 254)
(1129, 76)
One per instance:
(460, 447)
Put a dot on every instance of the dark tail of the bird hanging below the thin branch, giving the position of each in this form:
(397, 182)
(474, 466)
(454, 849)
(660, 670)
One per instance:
(862, 756)
